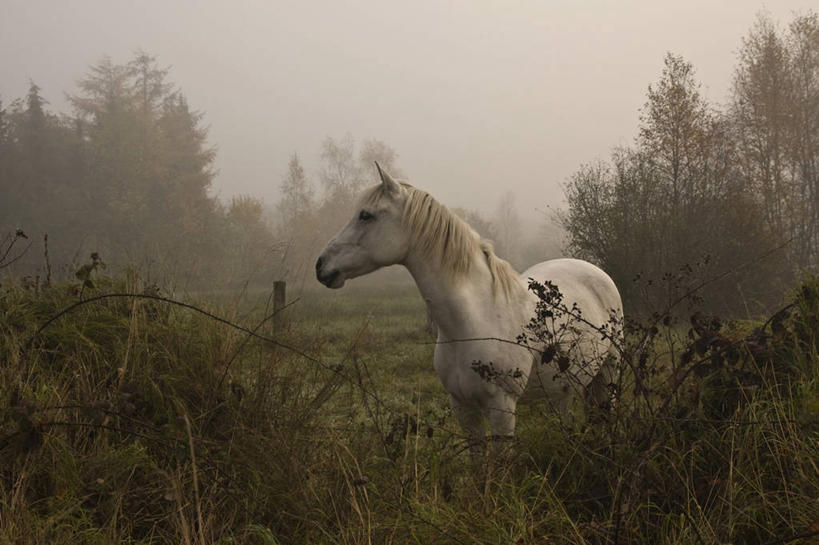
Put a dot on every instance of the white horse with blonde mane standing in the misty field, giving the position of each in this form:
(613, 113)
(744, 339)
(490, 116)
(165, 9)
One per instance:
(478, 301)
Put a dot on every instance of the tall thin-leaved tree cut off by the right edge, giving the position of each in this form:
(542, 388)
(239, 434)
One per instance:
(775, 110)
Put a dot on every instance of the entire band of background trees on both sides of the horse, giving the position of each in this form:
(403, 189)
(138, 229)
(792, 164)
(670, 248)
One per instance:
(726, 198)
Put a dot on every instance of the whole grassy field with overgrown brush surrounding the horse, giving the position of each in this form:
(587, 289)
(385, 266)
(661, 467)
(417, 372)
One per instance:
(135, 420)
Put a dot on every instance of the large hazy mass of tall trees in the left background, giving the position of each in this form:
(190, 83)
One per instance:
(127, 175)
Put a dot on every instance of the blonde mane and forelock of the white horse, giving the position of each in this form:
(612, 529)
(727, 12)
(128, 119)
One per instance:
(438, 233)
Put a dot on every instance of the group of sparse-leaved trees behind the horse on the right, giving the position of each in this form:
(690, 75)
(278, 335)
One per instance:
(723, 197)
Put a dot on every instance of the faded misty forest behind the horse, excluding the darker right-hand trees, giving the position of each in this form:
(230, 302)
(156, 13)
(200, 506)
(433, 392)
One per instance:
(127, 176)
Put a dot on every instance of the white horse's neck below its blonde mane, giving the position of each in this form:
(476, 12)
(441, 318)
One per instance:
(460, 306)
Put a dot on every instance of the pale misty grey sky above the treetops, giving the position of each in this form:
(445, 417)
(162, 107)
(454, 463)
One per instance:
(476, 97)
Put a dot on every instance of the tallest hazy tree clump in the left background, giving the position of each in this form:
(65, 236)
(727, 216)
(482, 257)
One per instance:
(149, 163)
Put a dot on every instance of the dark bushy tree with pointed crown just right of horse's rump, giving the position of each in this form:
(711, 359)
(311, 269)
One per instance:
(669, 202)
